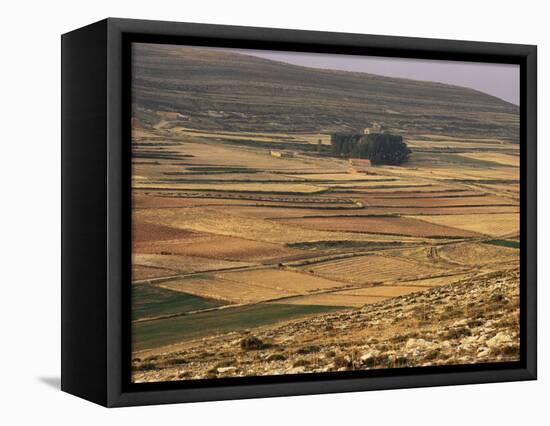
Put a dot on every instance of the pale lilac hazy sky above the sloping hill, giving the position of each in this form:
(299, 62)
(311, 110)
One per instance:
(500, 80)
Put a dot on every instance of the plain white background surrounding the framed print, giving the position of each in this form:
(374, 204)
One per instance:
(30, 211)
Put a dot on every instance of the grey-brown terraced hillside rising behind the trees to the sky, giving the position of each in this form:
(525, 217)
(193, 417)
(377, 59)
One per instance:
(216, 90)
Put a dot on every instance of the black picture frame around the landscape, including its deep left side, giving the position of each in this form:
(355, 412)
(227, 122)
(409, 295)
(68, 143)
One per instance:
(96, 211)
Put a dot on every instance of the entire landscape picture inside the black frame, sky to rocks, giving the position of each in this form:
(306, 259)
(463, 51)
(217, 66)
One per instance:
(297, 213)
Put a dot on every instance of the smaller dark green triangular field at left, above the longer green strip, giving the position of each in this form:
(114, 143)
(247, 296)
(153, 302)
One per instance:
(152, 301)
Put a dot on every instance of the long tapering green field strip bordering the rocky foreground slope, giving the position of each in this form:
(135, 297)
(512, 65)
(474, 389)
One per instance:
(152, 334)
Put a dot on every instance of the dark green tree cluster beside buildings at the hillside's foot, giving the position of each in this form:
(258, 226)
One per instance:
(379, 148)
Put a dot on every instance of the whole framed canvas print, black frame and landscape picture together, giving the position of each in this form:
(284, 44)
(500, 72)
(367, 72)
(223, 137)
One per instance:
(253, 212)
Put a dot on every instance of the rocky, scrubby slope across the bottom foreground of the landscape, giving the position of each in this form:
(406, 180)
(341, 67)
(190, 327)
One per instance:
(473, 321)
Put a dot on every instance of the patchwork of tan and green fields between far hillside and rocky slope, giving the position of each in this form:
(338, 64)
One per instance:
(248, 243)
